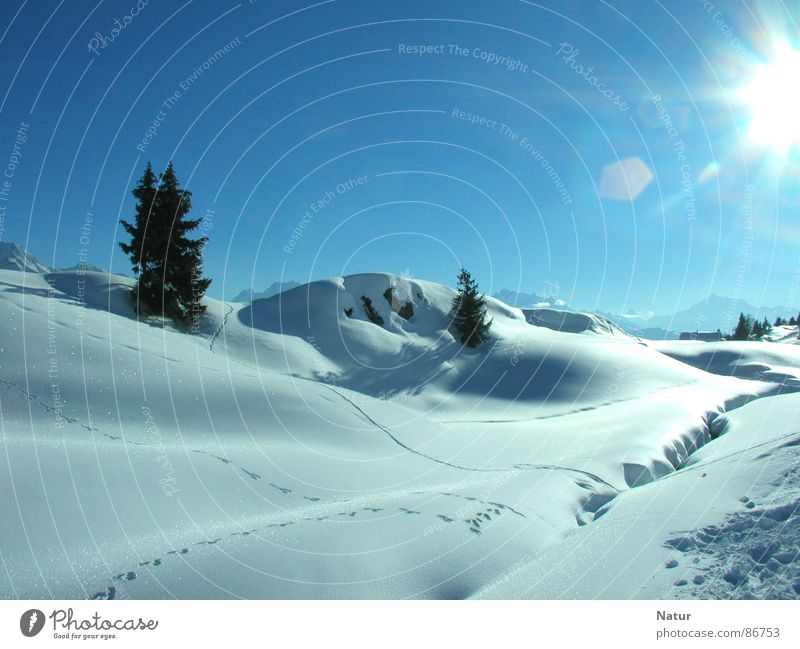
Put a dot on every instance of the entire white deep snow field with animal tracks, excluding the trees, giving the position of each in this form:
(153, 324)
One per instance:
(288, 450)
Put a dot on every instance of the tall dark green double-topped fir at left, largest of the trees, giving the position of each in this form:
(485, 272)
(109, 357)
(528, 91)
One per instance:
(168, 263)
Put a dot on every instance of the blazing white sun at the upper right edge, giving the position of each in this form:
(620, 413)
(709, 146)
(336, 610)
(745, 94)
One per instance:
(773, 97)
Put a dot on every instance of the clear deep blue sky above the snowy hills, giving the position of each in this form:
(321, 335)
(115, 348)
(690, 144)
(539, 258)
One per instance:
(598, 151)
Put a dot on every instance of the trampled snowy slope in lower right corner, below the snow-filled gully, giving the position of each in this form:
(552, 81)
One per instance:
(725, 526)
